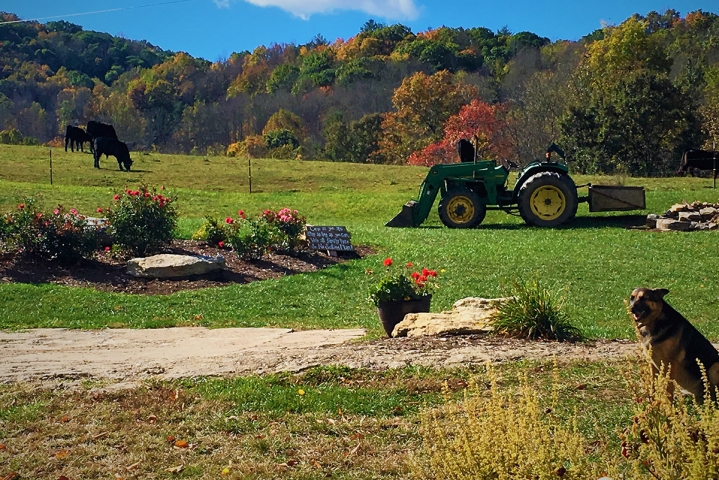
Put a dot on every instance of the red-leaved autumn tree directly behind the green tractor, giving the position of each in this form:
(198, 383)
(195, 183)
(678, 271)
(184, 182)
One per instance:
(477, 120)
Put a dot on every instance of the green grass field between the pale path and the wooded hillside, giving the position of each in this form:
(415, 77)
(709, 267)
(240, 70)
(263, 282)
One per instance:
(596, 258)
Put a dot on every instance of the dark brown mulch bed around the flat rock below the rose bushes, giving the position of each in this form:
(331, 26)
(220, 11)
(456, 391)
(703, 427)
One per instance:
(107, 273)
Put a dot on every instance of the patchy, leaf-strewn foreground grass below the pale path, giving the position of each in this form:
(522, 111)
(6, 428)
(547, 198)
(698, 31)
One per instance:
(326, 422)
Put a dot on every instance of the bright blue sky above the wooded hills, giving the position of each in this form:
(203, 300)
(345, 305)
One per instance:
(213, 29)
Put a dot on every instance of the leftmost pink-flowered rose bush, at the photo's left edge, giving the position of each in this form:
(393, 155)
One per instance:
(62, 236)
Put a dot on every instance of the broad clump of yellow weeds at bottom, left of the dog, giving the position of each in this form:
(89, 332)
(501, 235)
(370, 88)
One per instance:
(505, 433)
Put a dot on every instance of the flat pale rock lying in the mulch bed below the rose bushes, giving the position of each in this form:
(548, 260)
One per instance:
(171, 266)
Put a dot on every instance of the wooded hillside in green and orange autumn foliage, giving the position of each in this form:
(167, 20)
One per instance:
(627, 98)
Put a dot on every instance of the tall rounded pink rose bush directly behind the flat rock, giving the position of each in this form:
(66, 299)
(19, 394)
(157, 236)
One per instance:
(142, 221)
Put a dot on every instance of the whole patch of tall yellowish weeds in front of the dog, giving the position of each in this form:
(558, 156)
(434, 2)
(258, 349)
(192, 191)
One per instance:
(514, 432)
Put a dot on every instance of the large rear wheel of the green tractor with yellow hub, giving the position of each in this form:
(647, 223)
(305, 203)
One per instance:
(548, 199)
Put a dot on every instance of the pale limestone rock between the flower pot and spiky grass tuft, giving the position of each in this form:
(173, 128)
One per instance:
(468, 315)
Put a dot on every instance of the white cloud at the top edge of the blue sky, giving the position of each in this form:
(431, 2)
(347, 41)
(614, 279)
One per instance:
(385, 9)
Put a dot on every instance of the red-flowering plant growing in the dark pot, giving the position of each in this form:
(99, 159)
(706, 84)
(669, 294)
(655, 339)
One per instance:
(402, 283)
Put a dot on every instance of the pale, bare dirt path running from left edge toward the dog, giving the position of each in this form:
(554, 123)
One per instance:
(186, 352)
